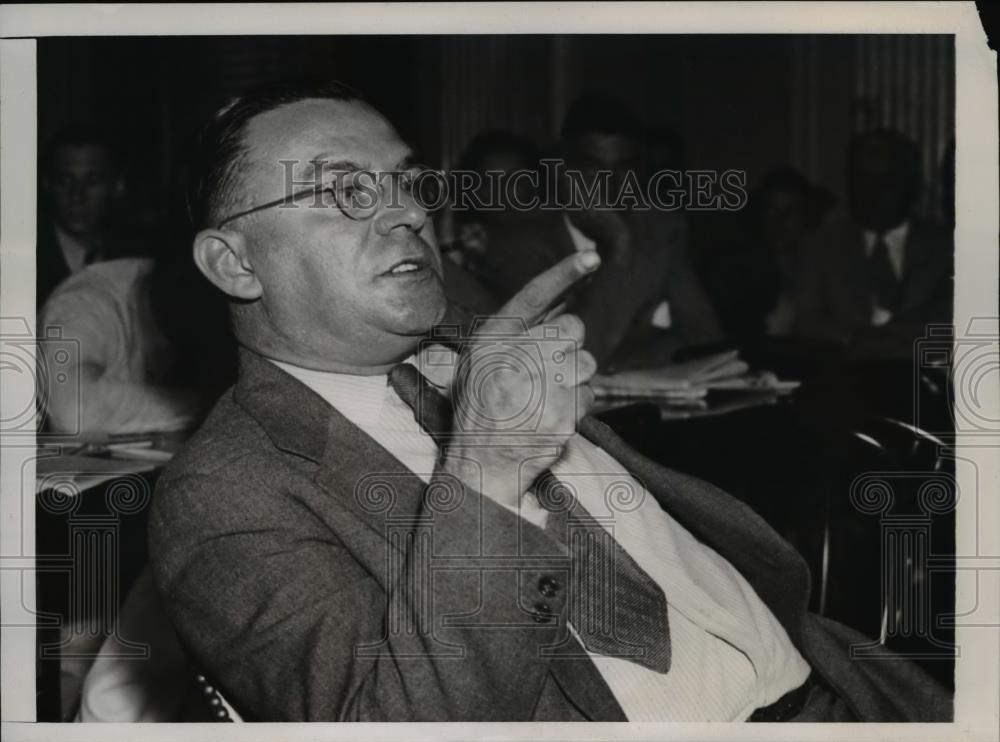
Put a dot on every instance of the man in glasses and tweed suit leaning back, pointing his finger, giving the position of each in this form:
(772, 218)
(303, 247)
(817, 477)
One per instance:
(373, 527)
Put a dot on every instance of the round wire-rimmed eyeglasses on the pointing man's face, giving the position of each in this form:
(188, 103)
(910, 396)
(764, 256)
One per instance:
(359, 194)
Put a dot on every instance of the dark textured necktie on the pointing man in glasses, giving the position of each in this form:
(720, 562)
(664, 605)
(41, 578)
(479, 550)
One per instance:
(615, 607)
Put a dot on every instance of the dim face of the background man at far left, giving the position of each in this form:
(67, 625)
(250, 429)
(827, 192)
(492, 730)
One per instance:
(82, 182)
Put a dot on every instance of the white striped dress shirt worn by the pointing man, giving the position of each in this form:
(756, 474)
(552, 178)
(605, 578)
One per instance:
(729, 654)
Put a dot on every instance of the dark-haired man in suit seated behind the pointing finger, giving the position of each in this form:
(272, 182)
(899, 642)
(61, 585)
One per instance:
(647, 301)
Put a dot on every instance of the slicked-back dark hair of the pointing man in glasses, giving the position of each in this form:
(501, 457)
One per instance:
(220, 148)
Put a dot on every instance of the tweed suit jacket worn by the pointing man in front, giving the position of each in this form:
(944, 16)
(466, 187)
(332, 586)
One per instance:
(316, 578)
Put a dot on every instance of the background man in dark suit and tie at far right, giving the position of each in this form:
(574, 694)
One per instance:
(876, 282)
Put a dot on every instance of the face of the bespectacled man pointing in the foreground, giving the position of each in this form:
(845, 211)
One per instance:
(334, 287)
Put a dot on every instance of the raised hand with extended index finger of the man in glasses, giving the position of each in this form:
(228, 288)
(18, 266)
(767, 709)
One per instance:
(521, 387)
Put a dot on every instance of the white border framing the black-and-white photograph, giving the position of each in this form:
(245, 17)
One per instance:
(977, 699)
